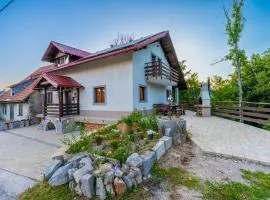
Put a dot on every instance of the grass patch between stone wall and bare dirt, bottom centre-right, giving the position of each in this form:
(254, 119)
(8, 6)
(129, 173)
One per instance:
(175, 176)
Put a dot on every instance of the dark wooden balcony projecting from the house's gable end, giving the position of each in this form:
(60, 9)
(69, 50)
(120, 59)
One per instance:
(159, 73)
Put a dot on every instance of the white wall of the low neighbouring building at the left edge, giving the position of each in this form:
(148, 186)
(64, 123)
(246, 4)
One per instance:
(16, 112)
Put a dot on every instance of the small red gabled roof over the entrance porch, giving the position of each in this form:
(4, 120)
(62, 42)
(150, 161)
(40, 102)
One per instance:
(58, 81)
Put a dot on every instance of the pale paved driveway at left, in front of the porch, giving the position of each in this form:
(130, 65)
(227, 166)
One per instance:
(24, 154)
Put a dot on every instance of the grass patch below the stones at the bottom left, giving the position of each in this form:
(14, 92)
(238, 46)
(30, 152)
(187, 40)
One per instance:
(42, 191)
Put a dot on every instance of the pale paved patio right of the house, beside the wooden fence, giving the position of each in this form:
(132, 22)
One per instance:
(229, 138)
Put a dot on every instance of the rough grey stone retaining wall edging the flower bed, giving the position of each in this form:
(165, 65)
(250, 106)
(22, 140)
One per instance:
(78, 170)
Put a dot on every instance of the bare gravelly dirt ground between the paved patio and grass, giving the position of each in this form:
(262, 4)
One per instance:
(204, 167)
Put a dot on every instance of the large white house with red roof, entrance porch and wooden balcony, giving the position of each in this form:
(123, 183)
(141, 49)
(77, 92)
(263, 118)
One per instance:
(101, 87)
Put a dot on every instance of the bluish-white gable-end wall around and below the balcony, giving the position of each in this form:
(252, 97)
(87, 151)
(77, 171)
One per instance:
(155, 93)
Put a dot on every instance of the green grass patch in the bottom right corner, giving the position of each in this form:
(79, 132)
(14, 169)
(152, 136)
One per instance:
(258, 188)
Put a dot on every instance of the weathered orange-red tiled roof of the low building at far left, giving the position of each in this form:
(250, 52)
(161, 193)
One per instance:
(20, 97)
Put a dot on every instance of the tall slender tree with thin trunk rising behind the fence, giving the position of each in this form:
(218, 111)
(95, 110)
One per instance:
(234, 28)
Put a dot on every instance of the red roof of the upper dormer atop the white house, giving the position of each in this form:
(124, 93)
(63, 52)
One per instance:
(65, 49)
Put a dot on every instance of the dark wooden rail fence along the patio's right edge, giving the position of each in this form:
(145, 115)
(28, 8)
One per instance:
(249, 112)
